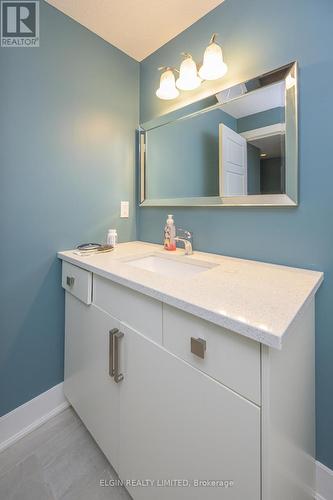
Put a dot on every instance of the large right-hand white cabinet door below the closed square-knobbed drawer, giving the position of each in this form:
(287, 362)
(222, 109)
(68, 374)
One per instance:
(178, 423)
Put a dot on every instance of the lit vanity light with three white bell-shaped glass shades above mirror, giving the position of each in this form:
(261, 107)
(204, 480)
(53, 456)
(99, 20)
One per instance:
(213, 67)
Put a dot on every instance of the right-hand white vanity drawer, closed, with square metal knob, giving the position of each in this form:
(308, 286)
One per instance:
(230, 358)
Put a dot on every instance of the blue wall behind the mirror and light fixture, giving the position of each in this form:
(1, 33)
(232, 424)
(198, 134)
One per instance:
(258, 36)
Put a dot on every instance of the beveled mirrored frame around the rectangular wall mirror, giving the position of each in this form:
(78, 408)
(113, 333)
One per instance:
(290, 198)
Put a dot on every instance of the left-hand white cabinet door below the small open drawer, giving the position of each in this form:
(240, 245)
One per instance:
(88, 385)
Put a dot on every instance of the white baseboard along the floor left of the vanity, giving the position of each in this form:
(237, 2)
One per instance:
(24, 419)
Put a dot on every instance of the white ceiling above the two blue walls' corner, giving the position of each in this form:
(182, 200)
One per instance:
(137, 27)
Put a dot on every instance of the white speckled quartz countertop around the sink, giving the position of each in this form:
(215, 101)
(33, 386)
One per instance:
(254, 299)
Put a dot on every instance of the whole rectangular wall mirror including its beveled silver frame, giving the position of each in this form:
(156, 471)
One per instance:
(237, 147)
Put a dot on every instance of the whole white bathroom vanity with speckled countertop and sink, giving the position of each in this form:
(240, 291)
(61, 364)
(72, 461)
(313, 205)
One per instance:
(194, 368)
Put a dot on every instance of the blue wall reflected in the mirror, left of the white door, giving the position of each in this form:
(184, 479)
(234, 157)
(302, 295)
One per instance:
(183, 156)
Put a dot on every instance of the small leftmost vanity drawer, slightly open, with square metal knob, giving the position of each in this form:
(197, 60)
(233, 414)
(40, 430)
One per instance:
(77, 281)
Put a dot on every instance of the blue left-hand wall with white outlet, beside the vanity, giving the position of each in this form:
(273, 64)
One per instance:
(69, 110)
